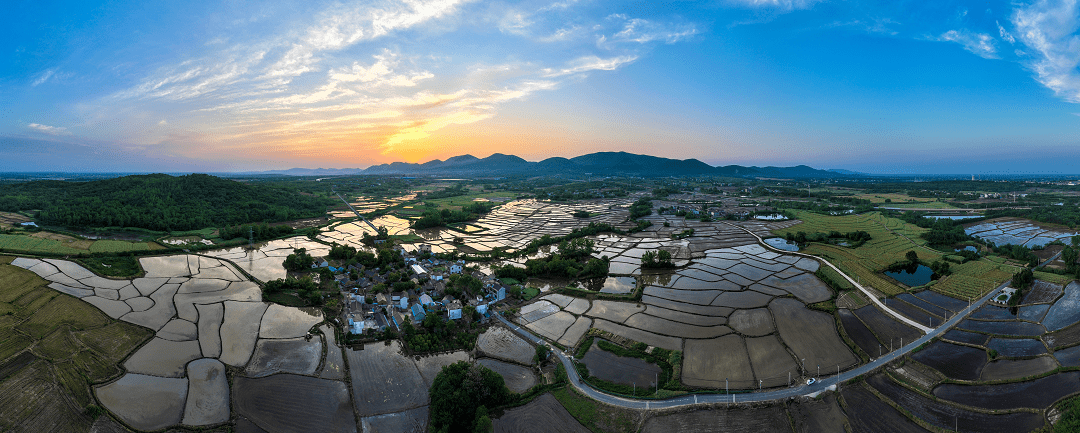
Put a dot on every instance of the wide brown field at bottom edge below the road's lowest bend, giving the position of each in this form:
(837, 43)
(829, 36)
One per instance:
(722, 420)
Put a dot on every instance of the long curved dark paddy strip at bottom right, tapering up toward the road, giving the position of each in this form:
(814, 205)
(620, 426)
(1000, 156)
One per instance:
(951, 417)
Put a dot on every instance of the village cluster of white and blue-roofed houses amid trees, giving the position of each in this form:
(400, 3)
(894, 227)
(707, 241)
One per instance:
(366, 310)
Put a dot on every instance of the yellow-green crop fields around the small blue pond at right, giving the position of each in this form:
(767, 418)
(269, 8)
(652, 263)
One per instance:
(892, 240)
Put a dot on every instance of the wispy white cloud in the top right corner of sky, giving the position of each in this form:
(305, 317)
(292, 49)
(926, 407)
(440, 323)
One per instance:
(1049, 30)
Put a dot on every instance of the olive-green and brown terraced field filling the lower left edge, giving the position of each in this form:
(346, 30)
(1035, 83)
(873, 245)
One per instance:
(55, 347)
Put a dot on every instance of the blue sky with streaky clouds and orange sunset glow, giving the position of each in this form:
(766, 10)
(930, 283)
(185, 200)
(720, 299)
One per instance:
(877, 87)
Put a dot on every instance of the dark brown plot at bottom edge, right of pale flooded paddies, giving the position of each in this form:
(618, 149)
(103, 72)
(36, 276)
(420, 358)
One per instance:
(289, 403)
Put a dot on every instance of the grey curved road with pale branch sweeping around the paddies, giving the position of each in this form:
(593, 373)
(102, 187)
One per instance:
(691, 400)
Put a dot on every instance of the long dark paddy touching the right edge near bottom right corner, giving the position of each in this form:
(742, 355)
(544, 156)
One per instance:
(1038, 395)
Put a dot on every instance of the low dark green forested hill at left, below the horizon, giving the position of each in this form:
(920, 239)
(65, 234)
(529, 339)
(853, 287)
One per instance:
(159, 202)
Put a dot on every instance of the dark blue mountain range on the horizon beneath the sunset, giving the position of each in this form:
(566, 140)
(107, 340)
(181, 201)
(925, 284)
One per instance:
(592, 165)
